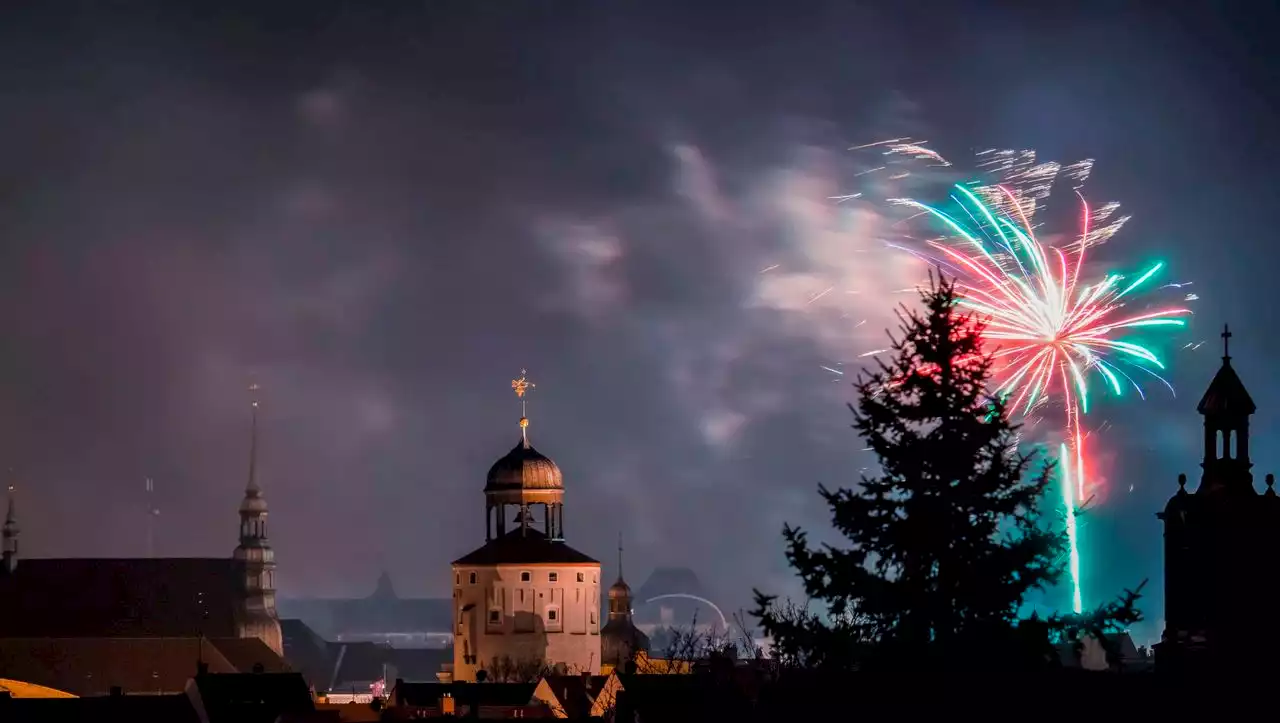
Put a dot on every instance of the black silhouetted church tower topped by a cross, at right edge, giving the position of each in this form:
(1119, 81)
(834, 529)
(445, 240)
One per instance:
(1219, 544)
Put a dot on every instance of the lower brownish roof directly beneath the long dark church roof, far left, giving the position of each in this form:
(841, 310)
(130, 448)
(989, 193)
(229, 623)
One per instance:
(94, 666)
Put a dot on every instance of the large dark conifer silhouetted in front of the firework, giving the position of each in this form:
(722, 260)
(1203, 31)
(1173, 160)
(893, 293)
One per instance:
(947, 542)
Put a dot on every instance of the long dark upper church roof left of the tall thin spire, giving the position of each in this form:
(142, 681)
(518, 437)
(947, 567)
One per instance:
(122, 598)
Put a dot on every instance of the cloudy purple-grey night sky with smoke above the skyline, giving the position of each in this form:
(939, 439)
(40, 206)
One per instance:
(383, 214)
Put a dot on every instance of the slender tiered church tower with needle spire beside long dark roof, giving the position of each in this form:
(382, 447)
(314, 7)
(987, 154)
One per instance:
(259, 561)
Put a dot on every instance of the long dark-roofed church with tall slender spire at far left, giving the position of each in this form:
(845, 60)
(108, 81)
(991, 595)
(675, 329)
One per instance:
(179, 598)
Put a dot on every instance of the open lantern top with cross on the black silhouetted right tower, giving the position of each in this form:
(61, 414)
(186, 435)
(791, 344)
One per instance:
(1227, 409)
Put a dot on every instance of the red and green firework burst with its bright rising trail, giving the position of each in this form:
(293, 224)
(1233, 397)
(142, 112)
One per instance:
(1054, 330)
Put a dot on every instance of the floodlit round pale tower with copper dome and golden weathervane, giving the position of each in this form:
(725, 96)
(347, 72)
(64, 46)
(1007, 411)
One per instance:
(525, 602)
